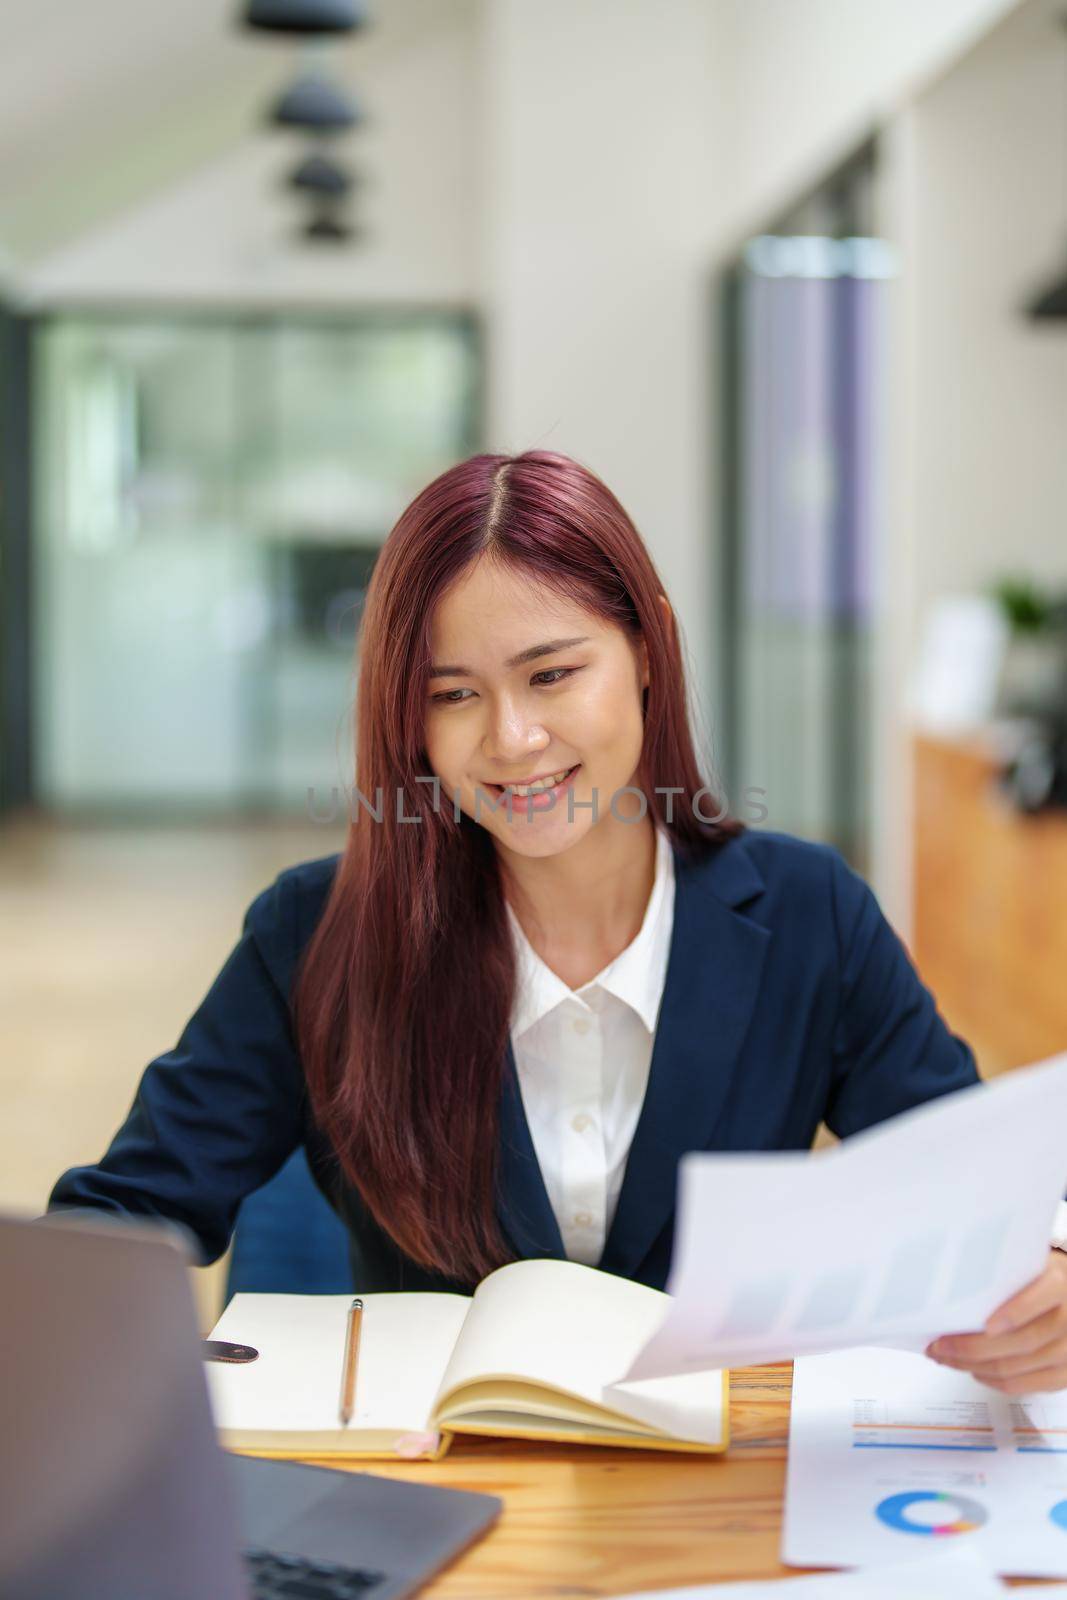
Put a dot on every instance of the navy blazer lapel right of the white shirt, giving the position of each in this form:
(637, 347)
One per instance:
(714, 972)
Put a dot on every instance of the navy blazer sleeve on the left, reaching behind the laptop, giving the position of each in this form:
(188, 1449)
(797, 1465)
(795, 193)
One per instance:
(217, 1116)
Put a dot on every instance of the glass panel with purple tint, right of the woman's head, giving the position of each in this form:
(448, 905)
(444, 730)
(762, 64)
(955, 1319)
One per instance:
(804, 383)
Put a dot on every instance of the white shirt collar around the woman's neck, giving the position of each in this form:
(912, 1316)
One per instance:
(636, 977)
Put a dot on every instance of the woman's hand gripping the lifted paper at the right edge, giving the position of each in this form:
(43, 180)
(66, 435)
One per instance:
(1025, 1345)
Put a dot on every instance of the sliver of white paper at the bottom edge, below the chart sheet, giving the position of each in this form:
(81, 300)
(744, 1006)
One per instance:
(941, 1575)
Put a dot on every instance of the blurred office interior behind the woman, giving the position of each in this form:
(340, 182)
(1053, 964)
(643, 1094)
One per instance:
(769, 266)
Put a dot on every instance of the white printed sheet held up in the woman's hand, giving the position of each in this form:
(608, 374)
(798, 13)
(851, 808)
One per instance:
(916, 1228)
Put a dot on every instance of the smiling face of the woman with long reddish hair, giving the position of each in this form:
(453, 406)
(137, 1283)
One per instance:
(495, 721)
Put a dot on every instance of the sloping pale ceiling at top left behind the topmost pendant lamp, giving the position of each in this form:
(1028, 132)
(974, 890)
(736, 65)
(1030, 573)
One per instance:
(105, 105)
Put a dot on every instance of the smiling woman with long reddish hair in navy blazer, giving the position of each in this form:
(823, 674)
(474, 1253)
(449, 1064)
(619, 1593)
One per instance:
(497, 1022)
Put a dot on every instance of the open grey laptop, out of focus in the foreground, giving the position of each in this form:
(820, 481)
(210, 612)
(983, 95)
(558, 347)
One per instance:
(113, 1484)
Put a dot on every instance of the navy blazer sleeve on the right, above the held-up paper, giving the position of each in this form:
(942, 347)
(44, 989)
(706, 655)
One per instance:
(892, 1047)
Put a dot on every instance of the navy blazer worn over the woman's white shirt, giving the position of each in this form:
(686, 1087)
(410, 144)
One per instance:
(788, 1002)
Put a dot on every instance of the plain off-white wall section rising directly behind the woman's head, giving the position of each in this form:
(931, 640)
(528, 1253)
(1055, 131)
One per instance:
(601, 177)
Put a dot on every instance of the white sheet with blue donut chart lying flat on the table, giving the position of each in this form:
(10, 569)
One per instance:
(889, 1454)
